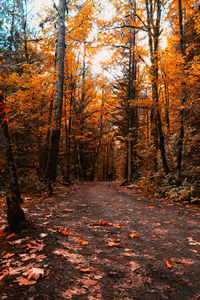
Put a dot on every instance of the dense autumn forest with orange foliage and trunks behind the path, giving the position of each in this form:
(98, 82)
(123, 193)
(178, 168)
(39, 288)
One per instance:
(134, 116)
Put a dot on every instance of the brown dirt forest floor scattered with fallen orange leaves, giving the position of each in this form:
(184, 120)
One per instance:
(99, 241)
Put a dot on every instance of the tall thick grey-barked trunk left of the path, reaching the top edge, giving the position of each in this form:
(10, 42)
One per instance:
(57, 111)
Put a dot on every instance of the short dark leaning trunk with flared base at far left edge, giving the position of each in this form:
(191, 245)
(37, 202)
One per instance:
(15, 214)
